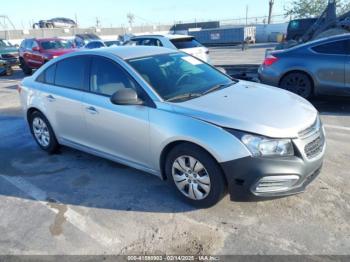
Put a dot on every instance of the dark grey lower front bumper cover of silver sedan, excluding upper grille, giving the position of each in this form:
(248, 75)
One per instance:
(244, 174)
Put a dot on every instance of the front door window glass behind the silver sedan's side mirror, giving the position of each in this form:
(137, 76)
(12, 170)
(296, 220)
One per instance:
(107, 77)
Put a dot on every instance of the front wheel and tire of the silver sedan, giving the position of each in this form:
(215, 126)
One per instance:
(201, 186)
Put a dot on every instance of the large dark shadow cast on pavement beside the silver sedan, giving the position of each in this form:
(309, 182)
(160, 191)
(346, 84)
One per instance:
(74, 178)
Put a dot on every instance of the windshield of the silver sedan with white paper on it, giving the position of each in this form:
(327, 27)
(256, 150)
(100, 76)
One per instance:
(179, 77)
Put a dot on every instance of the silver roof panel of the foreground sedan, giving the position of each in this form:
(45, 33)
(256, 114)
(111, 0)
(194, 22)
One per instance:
(130, 52)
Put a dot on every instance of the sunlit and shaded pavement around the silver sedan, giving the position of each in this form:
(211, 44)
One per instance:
(75, 203)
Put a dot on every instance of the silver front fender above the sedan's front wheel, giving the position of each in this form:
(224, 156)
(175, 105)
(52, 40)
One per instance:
(167, 127)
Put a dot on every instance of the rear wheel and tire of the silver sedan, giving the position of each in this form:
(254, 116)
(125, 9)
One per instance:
(43, 133)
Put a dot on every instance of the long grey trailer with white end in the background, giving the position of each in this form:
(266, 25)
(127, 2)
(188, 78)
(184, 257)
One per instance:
(225, 36)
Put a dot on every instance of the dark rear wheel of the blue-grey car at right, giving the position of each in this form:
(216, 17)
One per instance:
(298, 83)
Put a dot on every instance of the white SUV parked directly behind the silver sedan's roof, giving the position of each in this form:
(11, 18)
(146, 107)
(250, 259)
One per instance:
(185, 43)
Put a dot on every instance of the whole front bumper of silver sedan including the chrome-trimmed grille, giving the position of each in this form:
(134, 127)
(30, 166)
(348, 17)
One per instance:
(253, 178)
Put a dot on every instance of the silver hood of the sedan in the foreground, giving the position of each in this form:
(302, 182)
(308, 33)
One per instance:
(253, 108)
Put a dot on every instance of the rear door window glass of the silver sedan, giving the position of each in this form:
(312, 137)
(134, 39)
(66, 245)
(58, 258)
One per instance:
(71, 72)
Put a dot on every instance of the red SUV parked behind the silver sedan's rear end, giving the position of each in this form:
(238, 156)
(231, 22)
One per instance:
(33, 53)
